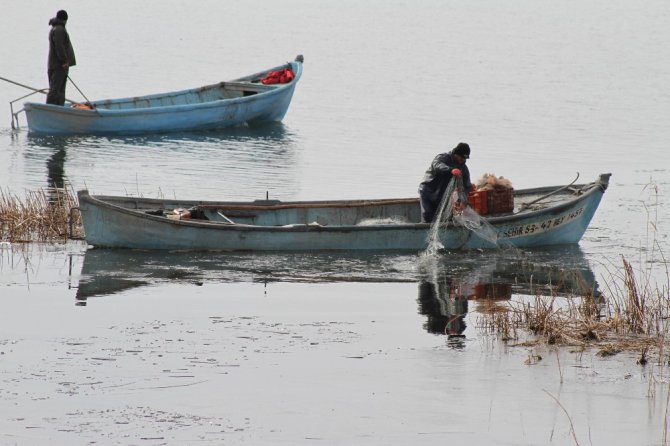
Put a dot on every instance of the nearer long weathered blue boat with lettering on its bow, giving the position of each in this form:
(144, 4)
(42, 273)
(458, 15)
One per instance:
(542, 216)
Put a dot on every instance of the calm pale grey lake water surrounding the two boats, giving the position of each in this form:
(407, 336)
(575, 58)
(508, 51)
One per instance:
(540, 90)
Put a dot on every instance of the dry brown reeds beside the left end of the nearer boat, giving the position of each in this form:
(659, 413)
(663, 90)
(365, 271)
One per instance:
(42, 216)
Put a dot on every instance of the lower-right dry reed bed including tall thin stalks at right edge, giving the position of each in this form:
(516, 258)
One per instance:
(632, 314)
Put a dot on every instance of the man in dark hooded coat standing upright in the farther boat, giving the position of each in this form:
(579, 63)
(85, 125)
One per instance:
(61, 58)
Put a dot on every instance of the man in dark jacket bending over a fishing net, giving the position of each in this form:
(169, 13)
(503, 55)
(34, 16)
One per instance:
(435, 182)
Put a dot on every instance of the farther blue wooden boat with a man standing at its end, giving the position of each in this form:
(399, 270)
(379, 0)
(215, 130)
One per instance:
(225, 104)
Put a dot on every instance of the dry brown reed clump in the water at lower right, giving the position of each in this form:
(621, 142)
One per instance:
(630, 317)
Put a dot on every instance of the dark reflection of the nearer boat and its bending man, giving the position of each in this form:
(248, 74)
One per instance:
(446, 283)
